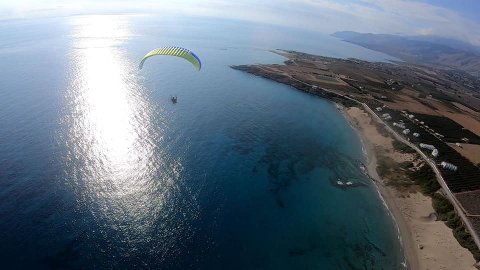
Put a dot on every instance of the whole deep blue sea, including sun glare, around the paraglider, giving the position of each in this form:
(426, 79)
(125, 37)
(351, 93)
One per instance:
(99, 170)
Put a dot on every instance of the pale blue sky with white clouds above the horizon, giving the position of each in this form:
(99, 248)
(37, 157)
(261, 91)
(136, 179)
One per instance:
(458, 19)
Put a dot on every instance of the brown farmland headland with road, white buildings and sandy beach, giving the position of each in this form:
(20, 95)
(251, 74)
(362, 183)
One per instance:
(420, 125)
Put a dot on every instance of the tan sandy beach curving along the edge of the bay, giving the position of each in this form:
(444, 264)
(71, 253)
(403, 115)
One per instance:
(428, 243)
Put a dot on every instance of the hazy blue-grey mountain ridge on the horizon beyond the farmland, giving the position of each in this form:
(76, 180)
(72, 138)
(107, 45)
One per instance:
(420, 49)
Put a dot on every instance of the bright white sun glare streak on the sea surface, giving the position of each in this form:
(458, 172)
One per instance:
(111, 140)
